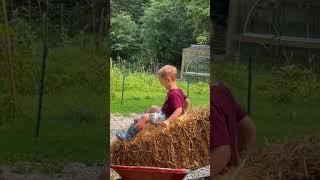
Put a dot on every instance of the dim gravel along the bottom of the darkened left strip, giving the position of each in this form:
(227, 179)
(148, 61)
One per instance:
(72, 171)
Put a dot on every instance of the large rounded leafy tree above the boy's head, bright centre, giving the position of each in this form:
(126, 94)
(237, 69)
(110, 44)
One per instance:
(166, 30)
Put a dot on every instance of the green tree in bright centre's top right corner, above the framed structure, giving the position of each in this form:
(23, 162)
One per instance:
(199, 11)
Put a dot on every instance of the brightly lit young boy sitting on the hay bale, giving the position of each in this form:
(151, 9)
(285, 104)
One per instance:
(175, 104)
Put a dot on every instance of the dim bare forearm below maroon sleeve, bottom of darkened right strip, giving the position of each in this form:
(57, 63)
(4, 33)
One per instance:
(220, 157)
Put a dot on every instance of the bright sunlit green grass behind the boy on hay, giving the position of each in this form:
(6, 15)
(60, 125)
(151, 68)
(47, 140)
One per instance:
(143, 90)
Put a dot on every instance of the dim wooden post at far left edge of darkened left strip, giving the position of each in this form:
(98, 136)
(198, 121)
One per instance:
(8, 56)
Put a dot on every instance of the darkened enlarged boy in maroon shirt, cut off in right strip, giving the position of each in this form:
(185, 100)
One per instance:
(232, 131)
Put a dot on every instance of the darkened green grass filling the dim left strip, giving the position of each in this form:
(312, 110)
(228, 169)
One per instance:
(73, 126)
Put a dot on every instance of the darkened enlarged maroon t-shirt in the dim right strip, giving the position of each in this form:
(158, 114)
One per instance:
(225, 114)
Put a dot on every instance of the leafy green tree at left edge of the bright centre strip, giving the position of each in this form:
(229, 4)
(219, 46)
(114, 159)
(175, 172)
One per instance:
(124, 35)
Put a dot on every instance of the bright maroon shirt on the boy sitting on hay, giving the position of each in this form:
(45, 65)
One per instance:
(174, 100)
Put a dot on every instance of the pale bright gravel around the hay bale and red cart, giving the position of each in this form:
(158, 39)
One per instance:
(120, 122)
